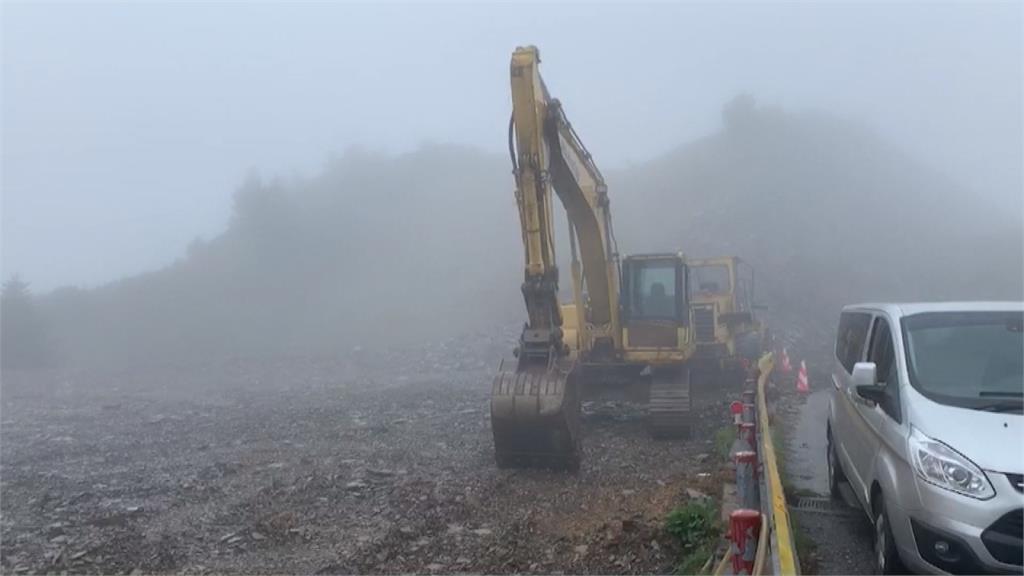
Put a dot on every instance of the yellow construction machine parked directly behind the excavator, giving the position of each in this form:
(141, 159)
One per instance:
(728, 333)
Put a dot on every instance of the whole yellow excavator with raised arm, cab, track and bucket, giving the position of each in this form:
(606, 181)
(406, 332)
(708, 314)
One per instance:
(627, 333)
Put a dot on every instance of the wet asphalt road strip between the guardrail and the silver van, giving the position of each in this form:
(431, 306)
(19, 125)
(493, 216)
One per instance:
(840, 540)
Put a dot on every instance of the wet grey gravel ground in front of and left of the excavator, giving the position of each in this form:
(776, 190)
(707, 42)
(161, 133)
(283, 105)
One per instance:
(378, 464)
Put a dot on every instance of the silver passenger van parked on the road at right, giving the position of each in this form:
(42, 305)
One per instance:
(926, 425)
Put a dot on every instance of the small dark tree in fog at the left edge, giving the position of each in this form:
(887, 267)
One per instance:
(24, 340)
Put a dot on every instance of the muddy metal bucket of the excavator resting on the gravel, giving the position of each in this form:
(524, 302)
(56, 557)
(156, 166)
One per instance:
(535, 417)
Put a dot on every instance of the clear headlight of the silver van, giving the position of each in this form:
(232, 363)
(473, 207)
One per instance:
(944, 467)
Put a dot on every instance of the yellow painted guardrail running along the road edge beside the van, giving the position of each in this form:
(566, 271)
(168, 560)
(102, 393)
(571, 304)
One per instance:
(786, 553)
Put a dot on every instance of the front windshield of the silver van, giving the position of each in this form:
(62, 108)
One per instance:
(971, 359)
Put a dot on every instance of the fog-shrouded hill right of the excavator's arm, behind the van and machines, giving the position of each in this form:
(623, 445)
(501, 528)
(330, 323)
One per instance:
(829, 214)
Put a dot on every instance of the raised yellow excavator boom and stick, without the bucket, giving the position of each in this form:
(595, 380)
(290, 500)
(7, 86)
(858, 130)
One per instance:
(548, 156)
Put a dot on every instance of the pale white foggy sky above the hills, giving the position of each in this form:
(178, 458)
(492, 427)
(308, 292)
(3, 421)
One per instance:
(127, 128)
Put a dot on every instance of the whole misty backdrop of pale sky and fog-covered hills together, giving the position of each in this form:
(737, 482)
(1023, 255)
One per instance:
(186, 182)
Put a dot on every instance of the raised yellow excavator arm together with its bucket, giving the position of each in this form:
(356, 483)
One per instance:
(535, 409)
